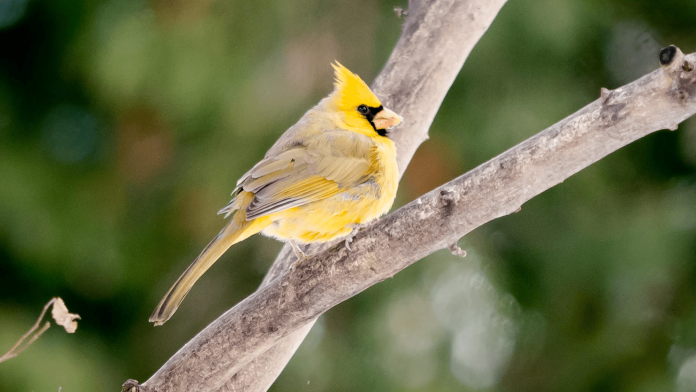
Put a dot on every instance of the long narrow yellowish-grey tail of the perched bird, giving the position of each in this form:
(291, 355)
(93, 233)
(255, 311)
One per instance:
(237, 229)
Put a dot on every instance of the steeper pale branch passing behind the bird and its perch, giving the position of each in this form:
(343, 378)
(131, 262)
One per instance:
(437, 37)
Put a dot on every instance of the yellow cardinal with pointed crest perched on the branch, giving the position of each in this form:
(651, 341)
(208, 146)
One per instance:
(331, 171)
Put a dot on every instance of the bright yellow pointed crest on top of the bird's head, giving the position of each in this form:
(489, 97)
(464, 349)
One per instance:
(350, 91)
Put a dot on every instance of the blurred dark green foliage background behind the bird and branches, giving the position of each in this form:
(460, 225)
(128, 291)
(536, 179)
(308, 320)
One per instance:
(124, 125)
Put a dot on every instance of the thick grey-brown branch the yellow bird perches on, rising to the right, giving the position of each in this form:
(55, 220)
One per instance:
(659, 100)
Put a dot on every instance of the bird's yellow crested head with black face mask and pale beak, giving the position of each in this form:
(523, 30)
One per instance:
(360, 107)
